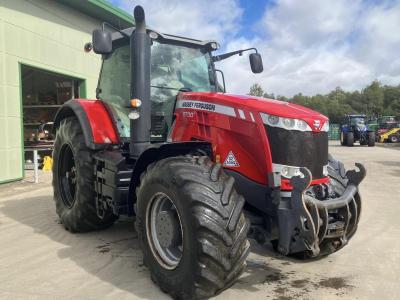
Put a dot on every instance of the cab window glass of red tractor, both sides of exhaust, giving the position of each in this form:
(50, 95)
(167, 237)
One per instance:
(173, 67)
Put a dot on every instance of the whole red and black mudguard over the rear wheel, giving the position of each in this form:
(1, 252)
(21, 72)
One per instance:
(96, 123)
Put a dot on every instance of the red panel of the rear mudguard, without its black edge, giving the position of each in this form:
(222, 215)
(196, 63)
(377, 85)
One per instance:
(102, 126)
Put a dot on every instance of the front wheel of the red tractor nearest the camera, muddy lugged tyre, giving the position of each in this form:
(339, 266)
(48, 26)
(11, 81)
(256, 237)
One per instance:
(214, 243)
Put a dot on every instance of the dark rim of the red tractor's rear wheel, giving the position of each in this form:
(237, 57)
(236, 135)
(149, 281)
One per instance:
(67, 175)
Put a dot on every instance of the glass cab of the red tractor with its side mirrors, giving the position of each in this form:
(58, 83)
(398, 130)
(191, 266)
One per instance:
(177, 64)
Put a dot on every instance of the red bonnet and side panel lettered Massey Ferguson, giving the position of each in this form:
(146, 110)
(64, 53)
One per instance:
(232, 124)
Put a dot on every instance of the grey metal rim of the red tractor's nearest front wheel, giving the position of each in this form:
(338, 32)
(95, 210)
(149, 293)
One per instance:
(164, 231)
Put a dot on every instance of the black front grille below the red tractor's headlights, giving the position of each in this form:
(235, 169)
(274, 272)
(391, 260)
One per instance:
(298, 148)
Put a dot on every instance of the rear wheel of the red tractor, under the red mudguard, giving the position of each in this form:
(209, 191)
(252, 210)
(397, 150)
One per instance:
(73, 180)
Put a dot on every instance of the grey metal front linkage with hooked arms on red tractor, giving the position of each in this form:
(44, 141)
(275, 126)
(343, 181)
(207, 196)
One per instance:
(304, 220)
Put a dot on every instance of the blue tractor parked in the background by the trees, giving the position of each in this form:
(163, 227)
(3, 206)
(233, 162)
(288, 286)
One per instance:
(353, 129)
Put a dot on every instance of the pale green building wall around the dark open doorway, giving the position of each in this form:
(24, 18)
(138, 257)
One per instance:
(43, 34)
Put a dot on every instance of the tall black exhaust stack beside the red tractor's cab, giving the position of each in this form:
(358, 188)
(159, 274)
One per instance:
(140, 86)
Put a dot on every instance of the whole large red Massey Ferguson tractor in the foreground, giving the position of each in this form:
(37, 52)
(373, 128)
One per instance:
(201, 170)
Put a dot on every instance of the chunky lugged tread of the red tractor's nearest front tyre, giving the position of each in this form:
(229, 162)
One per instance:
(221, 228)
